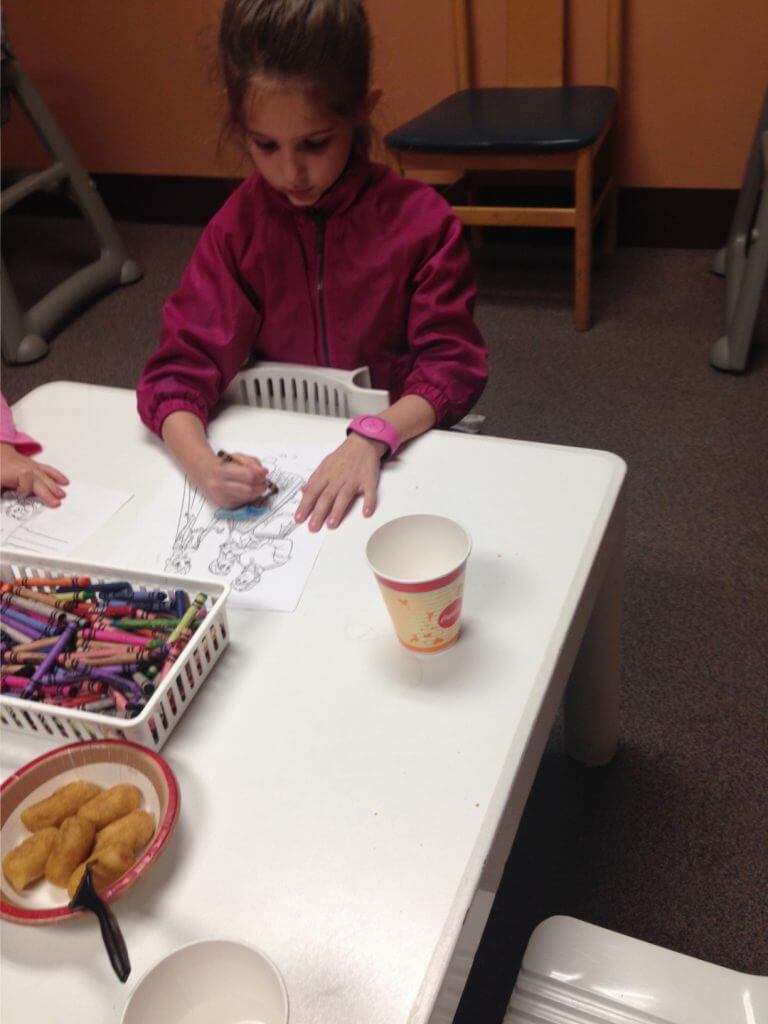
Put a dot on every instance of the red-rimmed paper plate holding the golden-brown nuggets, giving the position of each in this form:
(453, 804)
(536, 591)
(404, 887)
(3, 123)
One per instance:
(107, 763)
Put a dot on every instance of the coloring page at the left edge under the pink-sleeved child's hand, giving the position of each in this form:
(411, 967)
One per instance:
(28, 525)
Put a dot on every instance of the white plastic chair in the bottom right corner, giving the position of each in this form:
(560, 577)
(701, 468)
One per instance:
(581, 974)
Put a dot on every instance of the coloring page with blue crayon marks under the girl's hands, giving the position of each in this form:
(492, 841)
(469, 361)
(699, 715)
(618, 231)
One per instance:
(260, 550)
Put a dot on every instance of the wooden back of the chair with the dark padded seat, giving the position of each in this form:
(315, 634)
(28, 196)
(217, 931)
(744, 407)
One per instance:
(536, 44)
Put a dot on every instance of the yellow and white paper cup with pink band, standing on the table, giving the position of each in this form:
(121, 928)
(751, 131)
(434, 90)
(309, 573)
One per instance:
(419, 564)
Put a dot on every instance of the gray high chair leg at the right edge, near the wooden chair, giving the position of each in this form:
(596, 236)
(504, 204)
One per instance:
(746, 257)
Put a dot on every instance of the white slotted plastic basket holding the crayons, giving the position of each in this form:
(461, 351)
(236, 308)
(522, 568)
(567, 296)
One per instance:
(174, 696)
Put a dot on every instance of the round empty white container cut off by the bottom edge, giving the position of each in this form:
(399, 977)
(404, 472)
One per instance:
(214, 982)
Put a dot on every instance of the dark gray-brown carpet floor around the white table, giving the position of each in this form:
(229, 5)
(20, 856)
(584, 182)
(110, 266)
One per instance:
(669, 844)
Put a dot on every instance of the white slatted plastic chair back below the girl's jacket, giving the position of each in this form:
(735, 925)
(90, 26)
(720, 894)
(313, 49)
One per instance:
(319, 391)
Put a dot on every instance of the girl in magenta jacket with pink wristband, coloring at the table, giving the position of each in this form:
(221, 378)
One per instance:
(321, 258)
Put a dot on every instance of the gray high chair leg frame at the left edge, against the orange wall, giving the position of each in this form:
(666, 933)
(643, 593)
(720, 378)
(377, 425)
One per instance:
(24, 333)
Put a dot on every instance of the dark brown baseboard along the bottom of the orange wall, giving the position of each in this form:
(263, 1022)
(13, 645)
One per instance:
(686, 219)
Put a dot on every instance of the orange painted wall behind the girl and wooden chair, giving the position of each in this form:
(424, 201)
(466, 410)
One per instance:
(132, 83)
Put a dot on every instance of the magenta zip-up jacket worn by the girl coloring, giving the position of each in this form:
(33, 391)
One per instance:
(376, 274)
